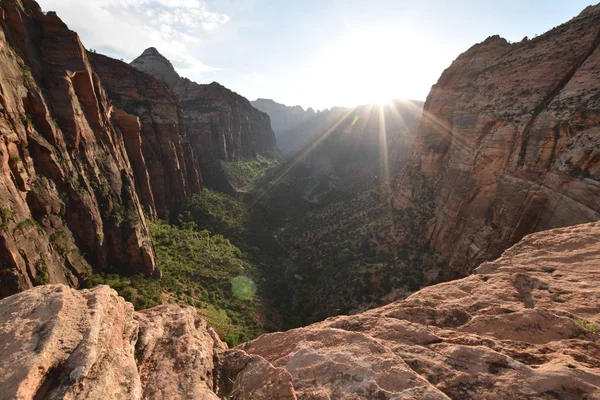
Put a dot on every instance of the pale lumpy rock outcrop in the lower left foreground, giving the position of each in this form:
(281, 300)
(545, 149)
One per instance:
(63, 344)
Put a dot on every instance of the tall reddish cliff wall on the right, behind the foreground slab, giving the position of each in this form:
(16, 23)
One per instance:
(509, 144)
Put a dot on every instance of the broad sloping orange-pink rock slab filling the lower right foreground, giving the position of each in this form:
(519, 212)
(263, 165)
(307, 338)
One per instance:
(520, 327)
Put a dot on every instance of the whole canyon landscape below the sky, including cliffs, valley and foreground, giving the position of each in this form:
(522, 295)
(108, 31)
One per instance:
(459, 236)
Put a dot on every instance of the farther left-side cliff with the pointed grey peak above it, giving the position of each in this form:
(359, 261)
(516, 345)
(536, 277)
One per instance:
(221, 125)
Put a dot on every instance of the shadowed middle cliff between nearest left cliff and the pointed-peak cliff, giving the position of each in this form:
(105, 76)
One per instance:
(150, 118)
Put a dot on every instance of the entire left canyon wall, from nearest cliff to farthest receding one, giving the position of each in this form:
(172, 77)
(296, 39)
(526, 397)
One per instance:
(91, 146)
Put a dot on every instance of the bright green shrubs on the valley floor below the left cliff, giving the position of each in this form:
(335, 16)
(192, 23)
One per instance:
(199, 269)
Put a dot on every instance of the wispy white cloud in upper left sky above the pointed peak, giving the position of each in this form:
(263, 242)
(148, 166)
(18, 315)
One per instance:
(124, 28)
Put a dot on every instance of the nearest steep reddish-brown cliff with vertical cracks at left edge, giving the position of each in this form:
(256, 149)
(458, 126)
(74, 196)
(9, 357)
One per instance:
(67, 192)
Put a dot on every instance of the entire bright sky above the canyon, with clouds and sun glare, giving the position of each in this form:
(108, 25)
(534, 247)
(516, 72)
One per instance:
(313, 53)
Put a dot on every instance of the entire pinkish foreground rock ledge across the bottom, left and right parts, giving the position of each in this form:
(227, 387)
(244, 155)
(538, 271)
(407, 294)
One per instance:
(521, 327)
